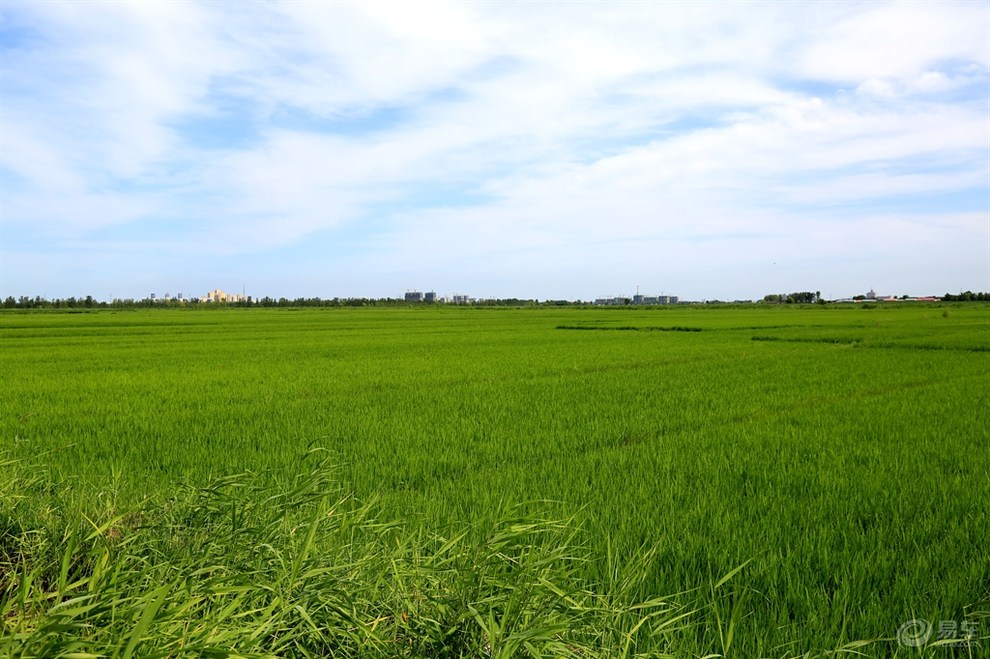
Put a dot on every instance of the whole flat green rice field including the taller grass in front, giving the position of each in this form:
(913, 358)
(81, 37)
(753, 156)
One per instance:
(752, 481)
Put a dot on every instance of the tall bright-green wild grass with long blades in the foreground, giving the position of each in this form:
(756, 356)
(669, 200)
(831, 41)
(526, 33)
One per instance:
(300, 568)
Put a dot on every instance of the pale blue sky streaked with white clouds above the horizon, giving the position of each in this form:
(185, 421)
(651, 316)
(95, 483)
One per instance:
(544, 150)
